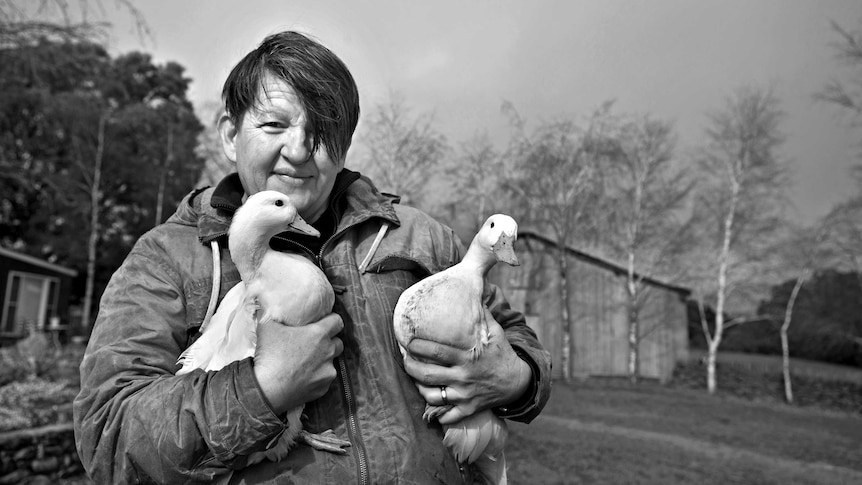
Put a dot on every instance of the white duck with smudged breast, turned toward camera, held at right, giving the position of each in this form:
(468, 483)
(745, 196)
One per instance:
(447, 308)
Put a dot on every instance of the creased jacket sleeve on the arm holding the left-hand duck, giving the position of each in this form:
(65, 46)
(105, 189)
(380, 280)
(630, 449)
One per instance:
(135, 421)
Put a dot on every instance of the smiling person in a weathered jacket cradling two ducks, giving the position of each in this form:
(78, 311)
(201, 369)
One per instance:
(291, 107)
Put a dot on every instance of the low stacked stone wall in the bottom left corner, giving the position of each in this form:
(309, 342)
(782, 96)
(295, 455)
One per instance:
(38, 455)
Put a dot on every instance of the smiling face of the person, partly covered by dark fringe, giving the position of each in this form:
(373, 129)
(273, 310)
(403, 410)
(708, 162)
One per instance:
(271, 148)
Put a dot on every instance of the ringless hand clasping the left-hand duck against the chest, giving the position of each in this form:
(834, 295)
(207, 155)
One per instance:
(293, 365)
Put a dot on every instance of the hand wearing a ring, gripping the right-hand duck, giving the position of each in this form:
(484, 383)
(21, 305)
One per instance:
(497, 377)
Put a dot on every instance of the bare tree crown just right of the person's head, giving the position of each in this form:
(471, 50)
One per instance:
(402, 152)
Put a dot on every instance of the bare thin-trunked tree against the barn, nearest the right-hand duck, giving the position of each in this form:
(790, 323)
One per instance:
(555, 181)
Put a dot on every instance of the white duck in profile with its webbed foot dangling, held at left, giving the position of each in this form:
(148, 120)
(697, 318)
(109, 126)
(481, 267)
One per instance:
(276, 287)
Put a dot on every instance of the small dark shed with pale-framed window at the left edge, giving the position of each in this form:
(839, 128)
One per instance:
(35, 294)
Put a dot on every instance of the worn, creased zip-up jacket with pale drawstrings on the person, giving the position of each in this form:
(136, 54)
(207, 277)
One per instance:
(137, 422)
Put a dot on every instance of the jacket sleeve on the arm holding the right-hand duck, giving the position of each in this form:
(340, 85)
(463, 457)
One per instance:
(523, 339)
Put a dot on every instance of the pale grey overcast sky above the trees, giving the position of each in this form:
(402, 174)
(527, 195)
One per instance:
(460, 60)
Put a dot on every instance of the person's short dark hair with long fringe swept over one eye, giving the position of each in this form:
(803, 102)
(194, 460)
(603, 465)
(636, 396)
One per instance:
(320, 79)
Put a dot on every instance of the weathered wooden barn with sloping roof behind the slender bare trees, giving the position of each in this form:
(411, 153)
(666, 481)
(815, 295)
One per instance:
(599, 311)
